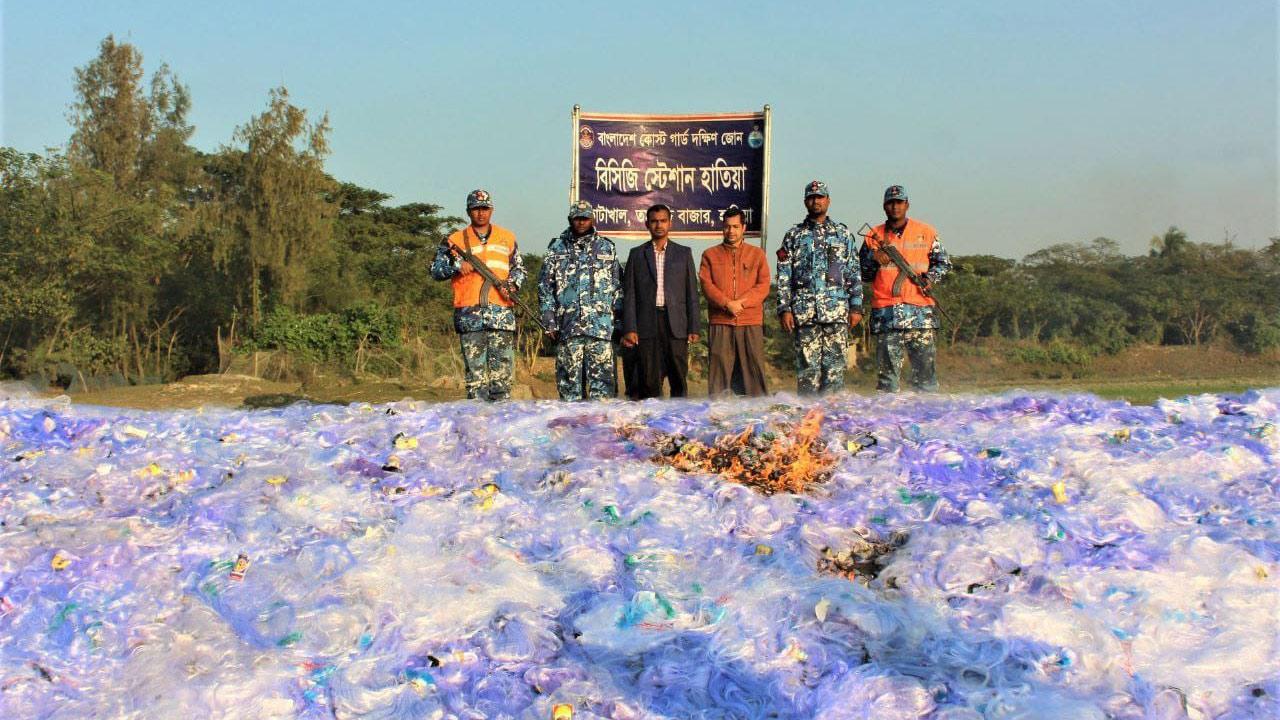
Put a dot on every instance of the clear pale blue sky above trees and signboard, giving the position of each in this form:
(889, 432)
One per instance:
(1013, 125)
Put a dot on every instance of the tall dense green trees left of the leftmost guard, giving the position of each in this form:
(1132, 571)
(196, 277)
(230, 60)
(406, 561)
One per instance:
(132, 254)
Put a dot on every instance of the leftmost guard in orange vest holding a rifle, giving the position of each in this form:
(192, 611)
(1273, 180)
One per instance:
(483, 315)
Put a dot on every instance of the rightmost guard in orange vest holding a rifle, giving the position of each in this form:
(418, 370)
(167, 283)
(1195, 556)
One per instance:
(903, 318)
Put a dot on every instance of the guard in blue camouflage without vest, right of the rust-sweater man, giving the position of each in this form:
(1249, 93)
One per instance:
(820, 294)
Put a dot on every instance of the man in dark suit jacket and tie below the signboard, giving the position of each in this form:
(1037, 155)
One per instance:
(660, 309)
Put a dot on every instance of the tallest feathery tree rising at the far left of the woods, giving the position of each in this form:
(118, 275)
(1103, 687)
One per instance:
(126, 195)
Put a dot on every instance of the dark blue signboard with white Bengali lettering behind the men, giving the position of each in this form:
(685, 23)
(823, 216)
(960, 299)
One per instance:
(698, 166)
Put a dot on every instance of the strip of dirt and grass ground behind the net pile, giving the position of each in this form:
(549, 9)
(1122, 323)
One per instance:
(1140, 375)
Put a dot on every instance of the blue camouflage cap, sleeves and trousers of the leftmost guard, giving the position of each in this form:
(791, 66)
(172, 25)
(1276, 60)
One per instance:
(486, 332)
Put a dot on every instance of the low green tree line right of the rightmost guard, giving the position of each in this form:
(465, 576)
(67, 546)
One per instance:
(1100, 300)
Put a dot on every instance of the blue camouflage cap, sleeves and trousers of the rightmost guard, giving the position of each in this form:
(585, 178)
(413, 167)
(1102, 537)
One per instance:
(906, 331)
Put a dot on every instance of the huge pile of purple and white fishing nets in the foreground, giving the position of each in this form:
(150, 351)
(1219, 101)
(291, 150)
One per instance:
(886, 558)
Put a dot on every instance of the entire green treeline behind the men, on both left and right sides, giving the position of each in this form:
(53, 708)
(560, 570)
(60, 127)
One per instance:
(134, 256)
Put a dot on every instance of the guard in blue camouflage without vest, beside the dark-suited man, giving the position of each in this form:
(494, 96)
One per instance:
(580, 297)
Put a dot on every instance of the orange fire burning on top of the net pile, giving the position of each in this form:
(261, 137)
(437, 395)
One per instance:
(775, 459)
